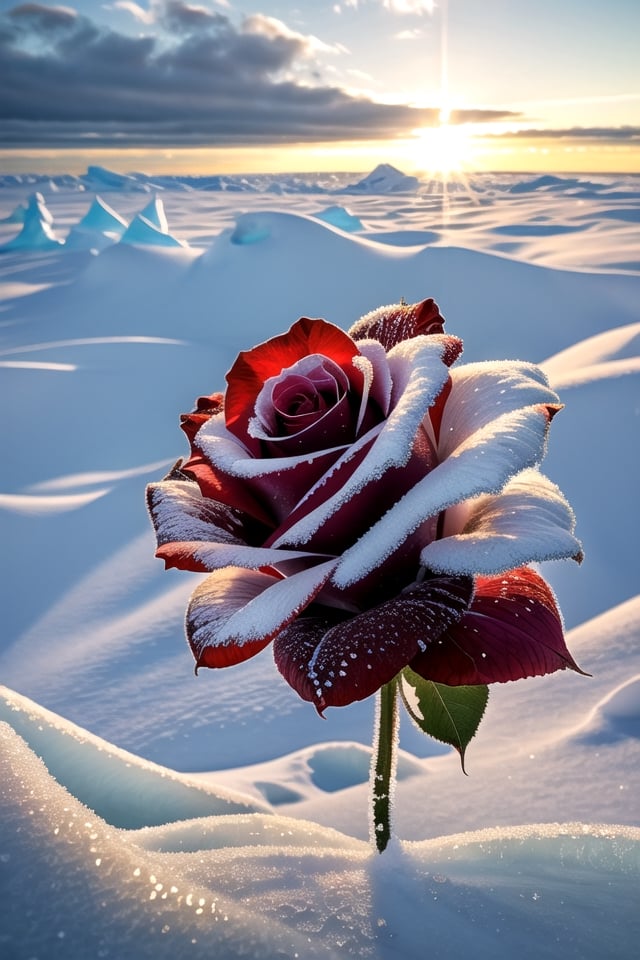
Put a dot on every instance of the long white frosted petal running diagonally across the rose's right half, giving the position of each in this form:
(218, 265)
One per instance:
(482, 464)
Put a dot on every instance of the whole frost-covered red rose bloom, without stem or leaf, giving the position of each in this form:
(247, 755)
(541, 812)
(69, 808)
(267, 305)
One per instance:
(367, 509)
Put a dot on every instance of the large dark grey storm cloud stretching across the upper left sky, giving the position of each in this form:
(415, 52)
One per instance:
(198, 80)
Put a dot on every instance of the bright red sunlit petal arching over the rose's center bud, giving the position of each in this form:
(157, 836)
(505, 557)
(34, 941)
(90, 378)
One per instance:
(253, 367)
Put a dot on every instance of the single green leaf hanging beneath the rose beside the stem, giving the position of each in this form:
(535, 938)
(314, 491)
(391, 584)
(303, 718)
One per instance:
(449, 714)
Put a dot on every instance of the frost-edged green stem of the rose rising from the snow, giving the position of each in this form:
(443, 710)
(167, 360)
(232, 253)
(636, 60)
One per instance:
(383, 763)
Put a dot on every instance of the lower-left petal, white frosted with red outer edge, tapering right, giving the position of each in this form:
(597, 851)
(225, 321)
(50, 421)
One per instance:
(234, 607)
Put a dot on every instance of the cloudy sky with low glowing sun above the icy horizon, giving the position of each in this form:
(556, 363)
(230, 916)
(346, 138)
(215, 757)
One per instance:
(221, 86)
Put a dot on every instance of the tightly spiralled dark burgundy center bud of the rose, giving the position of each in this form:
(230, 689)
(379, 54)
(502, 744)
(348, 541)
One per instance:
(307, 402)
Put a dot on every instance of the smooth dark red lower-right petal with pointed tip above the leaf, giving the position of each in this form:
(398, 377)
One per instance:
(512, 630)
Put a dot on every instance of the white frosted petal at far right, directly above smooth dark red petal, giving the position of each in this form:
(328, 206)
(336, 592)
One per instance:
(529, 521)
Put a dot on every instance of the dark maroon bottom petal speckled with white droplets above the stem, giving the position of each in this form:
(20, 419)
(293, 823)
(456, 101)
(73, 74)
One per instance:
(332, 666)
